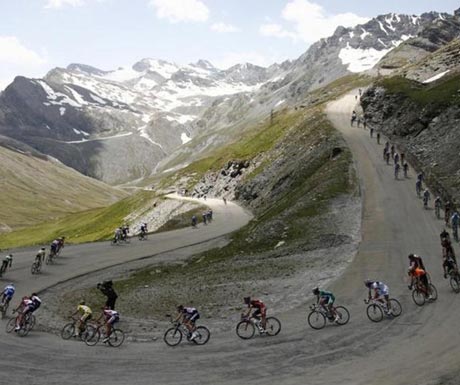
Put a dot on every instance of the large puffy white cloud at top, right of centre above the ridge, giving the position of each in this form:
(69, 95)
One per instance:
(310, 22)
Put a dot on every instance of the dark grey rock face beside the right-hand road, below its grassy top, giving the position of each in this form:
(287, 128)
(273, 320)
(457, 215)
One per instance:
(428, 135)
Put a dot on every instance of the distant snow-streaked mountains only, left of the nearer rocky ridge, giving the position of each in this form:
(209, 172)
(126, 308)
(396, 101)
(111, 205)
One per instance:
(117, 125)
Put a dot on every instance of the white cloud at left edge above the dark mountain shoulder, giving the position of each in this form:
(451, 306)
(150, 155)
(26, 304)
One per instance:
(16, 59)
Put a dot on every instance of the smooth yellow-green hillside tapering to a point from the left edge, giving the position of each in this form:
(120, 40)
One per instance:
(35, 190)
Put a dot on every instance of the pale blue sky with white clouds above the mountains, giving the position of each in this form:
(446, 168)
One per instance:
(38, 35)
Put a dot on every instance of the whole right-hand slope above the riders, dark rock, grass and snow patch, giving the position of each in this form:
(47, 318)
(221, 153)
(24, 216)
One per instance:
(423, 118)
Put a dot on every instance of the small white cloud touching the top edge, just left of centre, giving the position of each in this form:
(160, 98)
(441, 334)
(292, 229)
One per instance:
(181, 10)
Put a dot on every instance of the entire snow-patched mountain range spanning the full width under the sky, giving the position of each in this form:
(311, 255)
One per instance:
(120, 125)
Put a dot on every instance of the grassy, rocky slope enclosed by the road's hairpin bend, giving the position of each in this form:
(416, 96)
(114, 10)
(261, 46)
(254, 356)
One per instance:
(306, 169)
